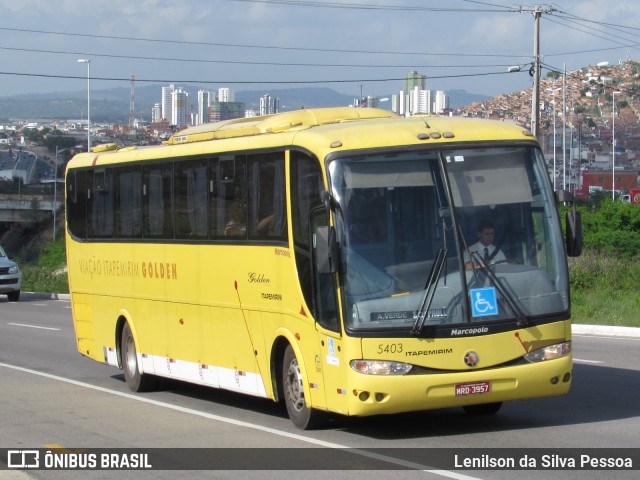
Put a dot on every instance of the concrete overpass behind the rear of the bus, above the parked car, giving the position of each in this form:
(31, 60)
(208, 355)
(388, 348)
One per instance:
(28, 208)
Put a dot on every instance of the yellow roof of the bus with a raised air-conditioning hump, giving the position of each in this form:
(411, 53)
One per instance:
(322, 130)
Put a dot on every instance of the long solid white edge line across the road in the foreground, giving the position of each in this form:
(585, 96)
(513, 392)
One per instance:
(240, 423)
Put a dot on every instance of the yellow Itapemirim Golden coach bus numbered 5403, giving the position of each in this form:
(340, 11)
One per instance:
(324, 258)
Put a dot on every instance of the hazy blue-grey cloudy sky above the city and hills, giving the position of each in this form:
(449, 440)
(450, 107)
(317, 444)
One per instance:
(352, 46)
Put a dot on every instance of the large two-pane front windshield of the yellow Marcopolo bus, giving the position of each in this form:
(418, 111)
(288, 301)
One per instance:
(431, 240)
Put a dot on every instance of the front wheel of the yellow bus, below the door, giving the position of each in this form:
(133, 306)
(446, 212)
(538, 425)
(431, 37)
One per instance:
(302, 416)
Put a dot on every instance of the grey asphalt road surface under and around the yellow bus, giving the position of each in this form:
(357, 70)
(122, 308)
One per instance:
(52, 396)
